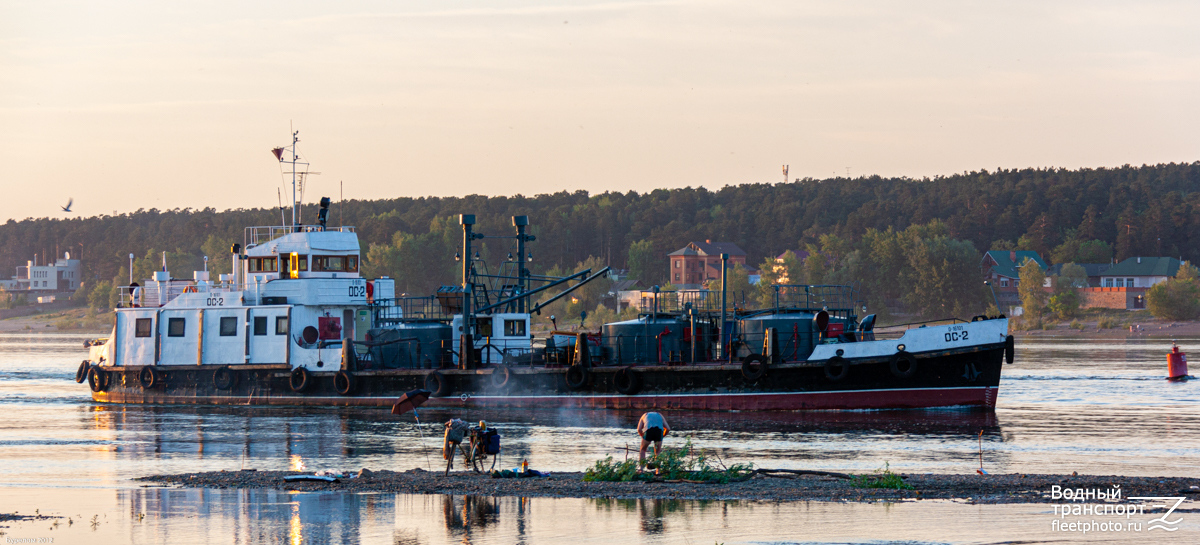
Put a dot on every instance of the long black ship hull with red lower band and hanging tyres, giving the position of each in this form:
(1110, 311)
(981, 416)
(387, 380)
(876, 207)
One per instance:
(961, 378)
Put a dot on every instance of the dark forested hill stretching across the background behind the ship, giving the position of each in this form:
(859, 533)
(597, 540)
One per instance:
(1150, 211)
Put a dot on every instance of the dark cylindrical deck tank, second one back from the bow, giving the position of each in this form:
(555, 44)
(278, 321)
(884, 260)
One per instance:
(646, 340)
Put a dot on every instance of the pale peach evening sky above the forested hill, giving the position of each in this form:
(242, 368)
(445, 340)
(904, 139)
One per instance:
(178, 105)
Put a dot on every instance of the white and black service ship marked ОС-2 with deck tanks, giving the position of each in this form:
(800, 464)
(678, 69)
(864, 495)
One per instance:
(297, 325)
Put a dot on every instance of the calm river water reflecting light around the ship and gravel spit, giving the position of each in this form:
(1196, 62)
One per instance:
(1089, 406)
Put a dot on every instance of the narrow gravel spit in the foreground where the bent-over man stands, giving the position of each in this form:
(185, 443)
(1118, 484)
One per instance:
(993, 489)
